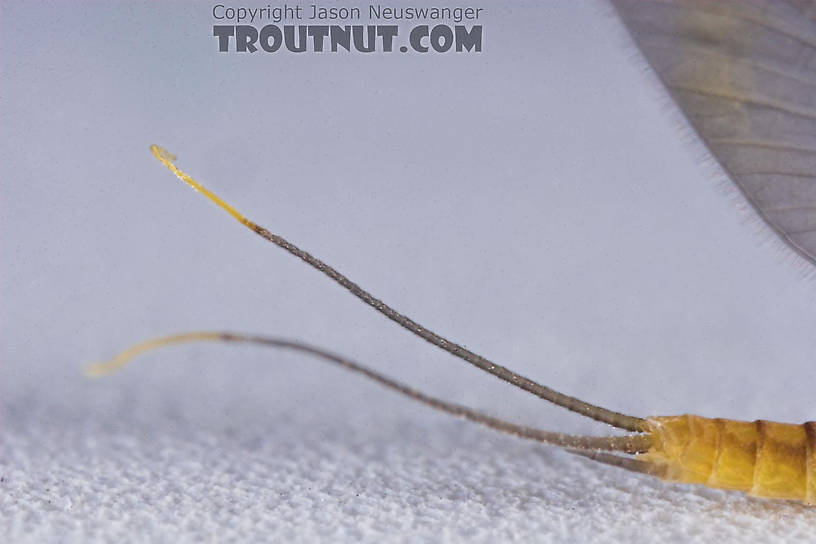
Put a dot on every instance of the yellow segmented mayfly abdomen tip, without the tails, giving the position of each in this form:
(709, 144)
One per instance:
(762, 458)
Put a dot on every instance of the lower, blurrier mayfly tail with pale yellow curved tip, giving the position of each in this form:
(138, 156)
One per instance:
(626, 444)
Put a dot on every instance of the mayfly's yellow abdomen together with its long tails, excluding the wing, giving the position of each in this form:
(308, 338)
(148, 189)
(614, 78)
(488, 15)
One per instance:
(762, 458)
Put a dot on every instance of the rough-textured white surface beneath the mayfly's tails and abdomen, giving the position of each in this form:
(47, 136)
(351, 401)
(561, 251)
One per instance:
(391, 480)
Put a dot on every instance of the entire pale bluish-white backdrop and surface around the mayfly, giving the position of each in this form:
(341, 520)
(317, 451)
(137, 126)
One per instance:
(541, 203)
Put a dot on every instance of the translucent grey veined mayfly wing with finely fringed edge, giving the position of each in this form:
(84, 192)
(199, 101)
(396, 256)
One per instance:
(744, 74)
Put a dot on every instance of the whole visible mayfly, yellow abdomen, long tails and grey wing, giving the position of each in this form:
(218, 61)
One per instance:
(744, 74)
